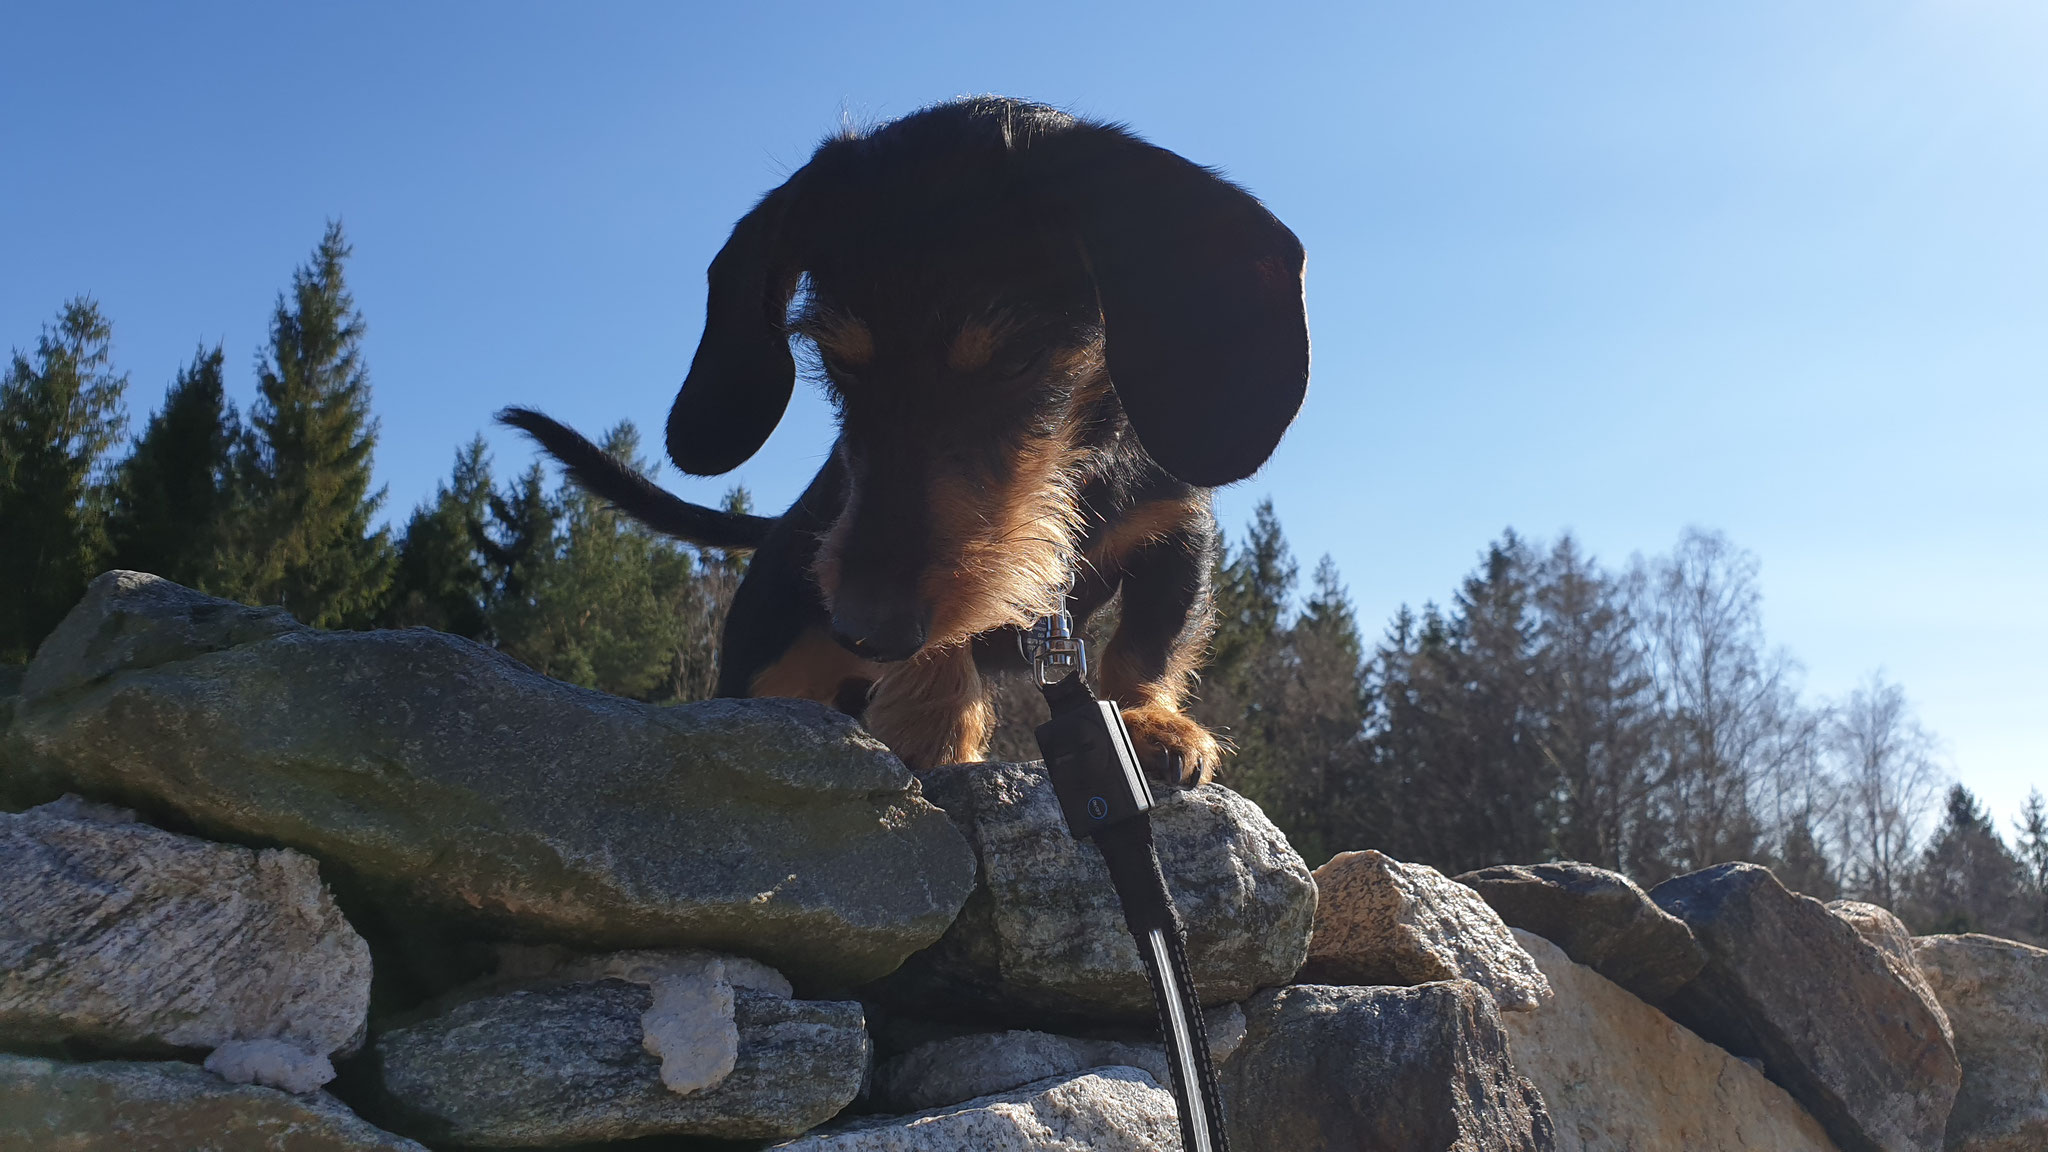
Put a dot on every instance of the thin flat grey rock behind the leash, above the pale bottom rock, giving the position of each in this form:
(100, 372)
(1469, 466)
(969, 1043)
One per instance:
(980, 1065)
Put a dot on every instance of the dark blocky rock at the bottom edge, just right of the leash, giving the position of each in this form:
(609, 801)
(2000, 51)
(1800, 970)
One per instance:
(1379, 1071)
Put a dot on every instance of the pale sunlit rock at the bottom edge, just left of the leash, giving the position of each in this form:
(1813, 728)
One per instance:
(1111, 1110)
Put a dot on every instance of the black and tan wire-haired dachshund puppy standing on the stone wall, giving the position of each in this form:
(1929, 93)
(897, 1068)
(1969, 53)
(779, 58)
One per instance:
(1046, 341)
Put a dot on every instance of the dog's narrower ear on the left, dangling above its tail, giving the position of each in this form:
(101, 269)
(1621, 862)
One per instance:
(742, 374)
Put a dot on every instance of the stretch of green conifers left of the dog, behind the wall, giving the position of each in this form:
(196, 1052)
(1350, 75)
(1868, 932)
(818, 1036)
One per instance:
(278, 509)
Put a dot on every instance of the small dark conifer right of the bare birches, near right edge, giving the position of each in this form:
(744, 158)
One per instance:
(1967, 880)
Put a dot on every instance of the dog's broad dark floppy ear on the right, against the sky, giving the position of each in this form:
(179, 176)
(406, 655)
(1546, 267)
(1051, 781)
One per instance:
(1201, 292)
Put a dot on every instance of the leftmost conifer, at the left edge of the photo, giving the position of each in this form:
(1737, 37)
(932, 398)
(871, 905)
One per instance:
(60, 415)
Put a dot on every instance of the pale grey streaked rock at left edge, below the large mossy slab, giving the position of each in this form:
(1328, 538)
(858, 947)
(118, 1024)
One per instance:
(136, 940)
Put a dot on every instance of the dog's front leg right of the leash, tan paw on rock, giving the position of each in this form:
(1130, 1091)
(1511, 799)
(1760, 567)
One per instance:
(1150, 663)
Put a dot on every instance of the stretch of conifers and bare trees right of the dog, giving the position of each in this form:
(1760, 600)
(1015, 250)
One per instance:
(1629, 718)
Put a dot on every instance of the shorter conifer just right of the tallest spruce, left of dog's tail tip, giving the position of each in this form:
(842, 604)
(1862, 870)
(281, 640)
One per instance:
(441, 575)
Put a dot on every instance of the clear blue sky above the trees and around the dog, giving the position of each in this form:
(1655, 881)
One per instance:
(1779, 270)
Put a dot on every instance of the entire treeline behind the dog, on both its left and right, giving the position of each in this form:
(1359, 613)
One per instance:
(1553, 708)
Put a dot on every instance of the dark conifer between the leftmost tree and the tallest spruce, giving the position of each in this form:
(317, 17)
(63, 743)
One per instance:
(171, 493)
